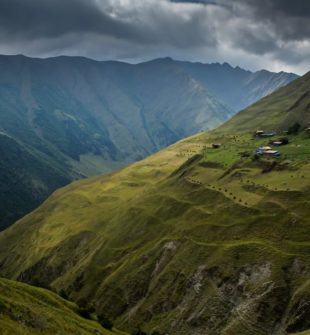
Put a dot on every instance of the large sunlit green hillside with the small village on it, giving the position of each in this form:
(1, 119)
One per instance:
(191, 240)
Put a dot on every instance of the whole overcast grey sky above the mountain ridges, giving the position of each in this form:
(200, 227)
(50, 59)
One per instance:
(253, 34)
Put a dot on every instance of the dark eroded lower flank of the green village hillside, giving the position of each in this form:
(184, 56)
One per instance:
(261, 297)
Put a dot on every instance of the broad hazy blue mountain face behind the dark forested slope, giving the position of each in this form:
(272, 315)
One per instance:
(118, 111)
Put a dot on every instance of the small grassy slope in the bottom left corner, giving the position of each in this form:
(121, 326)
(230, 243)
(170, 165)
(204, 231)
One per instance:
(27, 310)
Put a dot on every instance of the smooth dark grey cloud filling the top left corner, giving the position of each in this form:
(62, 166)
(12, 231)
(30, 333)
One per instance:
(48, 19)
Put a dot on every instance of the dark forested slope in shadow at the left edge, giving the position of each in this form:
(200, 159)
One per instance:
(26, 177)
